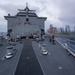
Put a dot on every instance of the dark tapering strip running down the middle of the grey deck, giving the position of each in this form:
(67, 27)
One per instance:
(28, 63)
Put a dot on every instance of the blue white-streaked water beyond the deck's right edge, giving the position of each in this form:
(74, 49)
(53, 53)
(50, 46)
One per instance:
(67, 44)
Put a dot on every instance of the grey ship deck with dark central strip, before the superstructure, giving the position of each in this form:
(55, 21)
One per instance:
(29, 60)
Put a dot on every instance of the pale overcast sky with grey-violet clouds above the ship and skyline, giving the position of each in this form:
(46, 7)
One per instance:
(58, 12)
